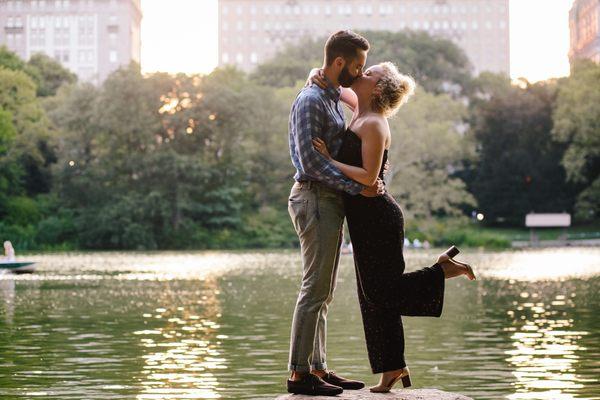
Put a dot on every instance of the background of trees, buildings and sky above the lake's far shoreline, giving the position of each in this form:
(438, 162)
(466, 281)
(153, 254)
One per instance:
(154, 125)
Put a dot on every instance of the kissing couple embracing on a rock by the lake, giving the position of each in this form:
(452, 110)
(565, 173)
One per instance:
(340, 174)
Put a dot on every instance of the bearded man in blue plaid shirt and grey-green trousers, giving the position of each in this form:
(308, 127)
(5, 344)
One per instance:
(316, 208)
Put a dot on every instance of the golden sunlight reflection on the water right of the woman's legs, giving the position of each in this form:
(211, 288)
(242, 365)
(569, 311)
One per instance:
(546, 348)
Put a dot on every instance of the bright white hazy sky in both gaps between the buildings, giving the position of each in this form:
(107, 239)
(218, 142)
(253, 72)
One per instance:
(181, 35)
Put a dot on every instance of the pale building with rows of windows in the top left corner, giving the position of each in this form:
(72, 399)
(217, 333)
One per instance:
(92, 38)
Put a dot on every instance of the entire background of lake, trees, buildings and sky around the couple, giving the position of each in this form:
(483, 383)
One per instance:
(144, 168)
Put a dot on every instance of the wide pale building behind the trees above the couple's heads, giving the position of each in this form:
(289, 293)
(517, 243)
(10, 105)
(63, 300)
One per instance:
(252, 31)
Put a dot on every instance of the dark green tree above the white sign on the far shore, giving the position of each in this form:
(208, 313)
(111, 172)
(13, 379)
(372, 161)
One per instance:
(518, 169)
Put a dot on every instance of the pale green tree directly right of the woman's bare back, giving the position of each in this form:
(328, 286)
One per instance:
(427, 145)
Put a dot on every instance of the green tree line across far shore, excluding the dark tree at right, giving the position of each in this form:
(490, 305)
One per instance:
(202, 162)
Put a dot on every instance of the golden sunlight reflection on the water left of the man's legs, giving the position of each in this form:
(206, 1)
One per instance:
(183, 355)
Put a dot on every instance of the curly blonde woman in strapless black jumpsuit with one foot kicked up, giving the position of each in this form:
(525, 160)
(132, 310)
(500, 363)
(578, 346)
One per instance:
(376, 226)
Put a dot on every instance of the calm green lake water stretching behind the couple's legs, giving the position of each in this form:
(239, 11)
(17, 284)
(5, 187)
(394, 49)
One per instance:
(216, 325)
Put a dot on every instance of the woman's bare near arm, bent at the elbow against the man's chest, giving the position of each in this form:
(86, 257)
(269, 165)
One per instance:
(373, 144)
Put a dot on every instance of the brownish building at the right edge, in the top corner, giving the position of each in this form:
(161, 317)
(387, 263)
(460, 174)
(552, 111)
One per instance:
(584, 18)
